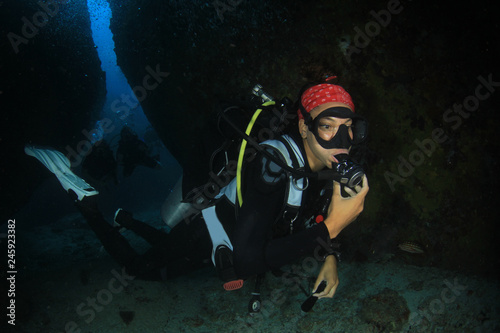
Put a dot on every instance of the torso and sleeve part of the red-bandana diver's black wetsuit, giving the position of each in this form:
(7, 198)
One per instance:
(261, 236)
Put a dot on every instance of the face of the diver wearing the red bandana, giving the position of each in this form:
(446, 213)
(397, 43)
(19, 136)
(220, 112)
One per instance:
(317, 156)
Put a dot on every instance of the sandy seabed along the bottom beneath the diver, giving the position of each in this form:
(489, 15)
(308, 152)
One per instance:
(68, 283)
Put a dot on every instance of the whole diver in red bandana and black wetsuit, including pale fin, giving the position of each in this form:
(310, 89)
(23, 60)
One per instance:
(269, 225)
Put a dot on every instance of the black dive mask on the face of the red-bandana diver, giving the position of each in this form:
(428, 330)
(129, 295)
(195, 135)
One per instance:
(342, 138)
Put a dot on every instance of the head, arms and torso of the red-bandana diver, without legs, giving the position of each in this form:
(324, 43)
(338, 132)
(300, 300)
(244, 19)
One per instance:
(271, 227)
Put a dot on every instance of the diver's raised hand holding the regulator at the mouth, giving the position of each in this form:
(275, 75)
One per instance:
(343, 210)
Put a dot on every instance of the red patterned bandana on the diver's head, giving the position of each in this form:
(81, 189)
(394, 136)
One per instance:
(324, 93)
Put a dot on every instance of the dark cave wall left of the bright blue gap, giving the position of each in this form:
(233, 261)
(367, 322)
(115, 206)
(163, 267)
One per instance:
(52, 87)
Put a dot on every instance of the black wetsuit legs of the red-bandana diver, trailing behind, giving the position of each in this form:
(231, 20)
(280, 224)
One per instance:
(170, 255)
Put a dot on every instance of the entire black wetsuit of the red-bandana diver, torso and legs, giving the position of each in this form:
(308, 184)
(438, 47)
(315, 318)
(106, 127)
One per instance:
(260, 237)
